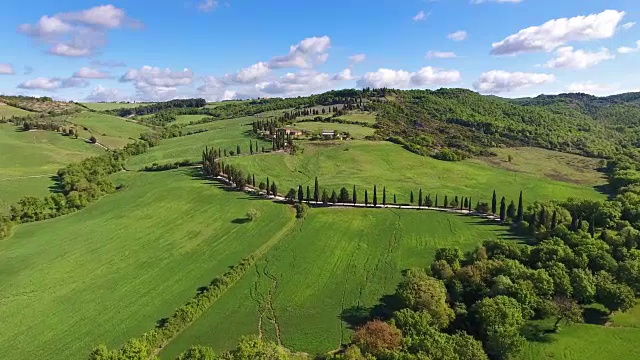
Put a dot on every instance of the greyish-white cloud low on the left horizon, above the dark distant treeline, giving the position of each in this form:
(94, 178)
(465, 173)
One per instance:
(154, 83)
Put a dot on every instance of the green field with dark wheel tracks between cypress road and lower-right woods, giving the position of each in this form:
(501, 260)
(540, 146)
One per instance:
(336, 260)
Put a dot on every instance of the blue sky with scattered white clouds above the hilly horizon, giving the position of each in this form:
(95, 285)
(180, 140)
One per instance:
(130, 50)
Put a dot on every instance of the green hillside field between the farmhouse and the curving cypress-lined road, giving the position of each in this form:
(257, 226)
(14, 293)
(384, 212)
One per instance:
(365, 163)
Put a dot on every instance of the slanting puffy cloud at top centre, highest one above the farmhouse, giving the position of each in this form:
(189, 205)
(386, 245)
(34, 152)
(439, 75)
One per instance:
(305, 54)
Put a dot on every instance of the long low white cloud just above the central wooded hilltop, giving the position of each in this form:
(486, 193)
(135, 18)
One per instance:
(401, 79)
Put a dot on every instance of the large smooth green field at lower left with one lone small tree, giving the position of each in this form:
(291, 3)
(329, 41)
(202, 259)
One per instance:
(109, 272)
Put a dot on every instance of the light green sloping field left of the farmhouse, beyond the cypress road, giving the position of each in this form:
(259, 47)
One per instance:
(225, 134)
